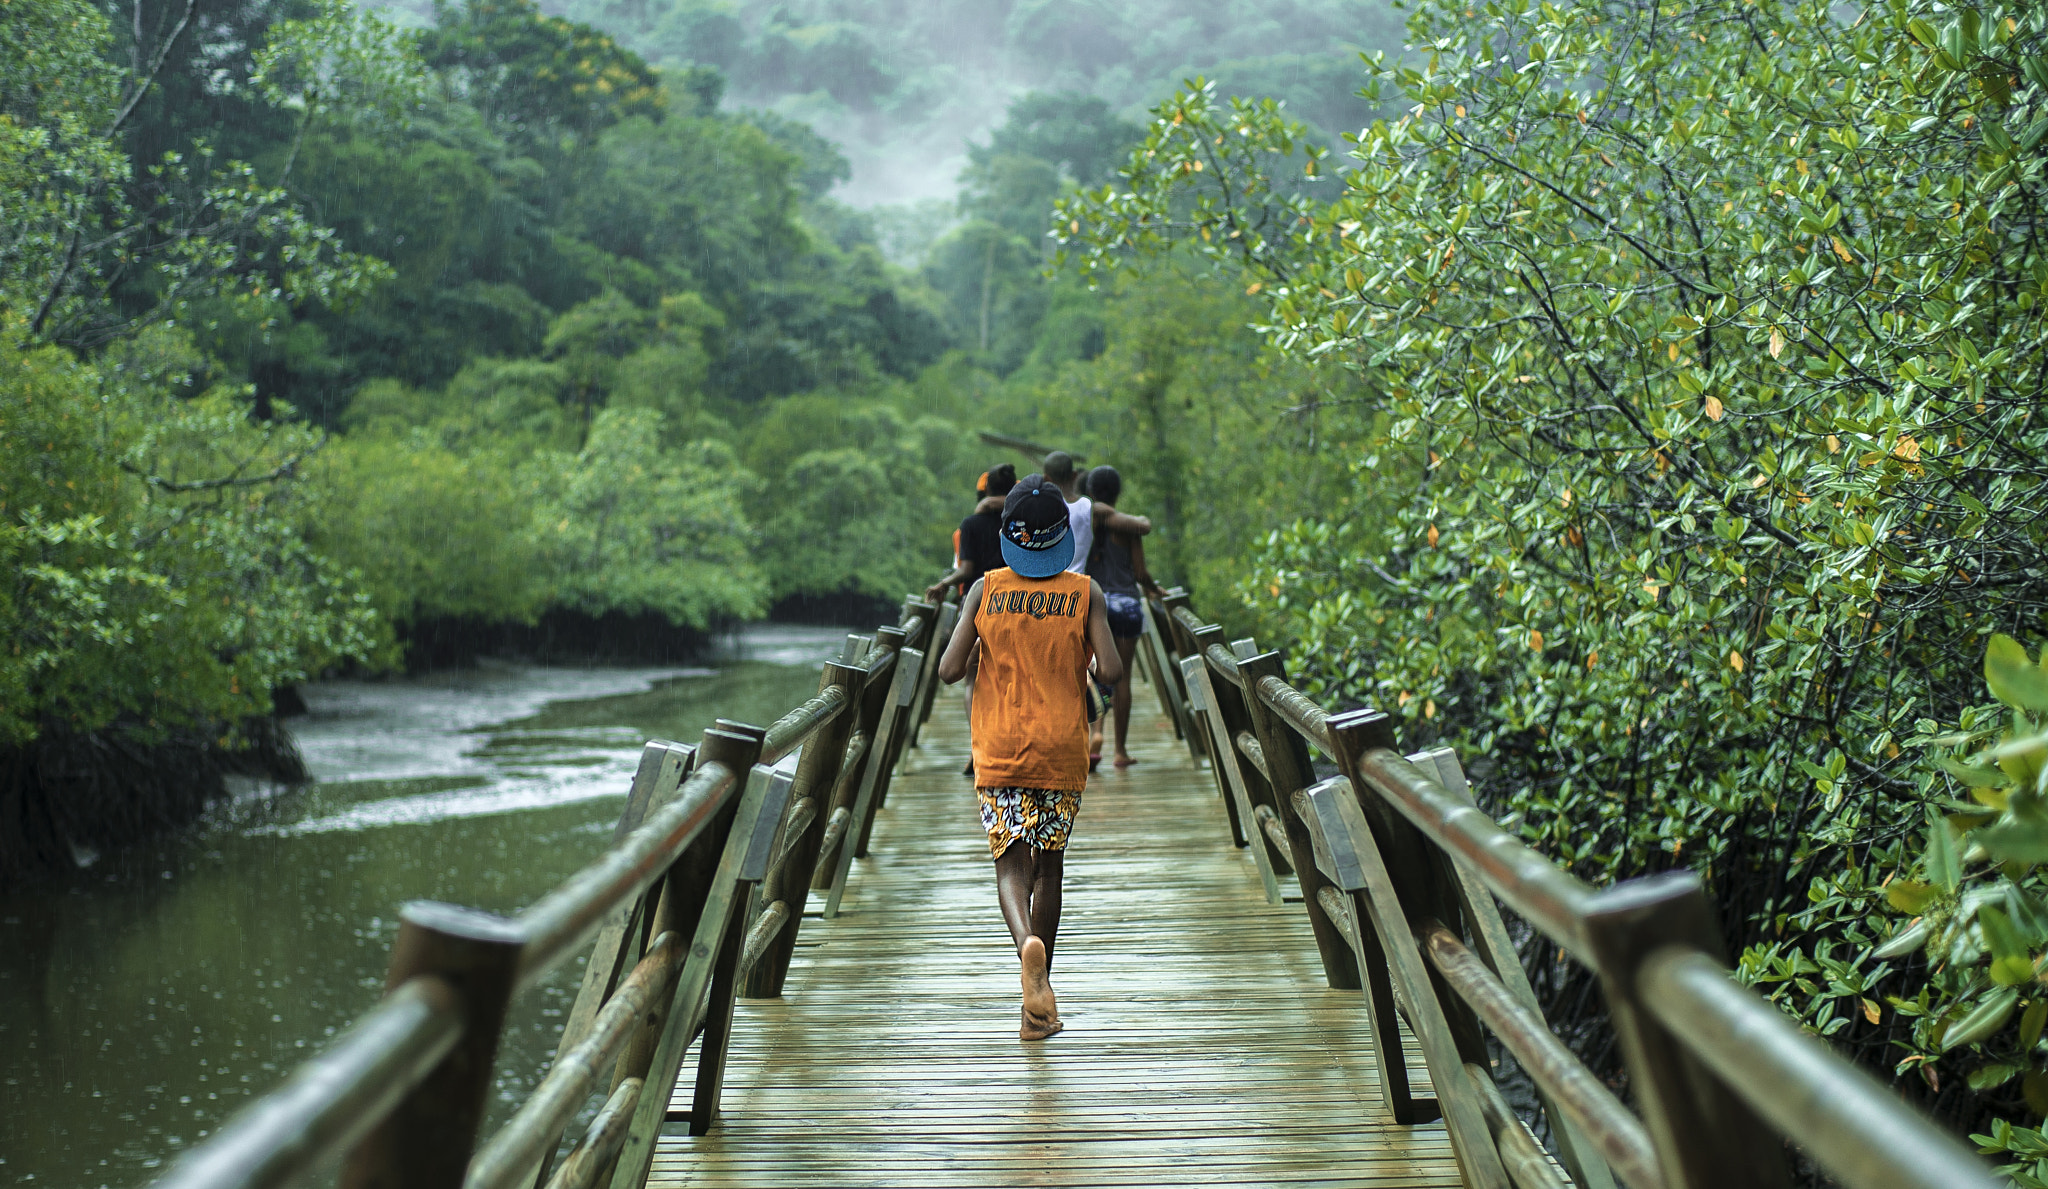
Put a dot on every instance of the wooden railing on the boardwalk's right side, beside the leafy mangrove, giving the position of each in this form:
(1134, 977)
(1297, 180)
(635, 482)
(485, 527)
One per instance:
(1400, 875)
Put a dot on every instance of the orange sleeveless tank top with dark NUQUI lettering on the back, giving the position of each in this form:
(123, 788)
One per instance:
(1031, 713)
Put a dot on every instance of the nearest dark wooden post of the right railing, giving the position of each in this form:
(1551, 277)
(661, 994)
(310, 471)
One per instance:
(1703, 1133)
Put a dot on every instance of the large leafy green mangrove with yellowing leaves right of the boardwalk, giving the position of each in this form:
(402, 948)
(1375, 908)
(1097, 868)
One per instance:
(1703, 351)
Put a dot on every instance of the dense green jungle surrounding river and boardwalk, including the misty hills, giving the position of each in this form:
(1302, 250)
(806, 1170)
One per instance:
(1639, 398)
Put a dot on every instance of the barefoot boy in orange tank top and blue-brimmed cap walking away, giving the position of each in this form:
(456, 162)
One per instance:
(1033, 627)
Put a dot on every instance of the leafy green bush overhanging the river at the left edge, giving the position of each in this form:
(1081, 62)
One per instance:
(151, 580)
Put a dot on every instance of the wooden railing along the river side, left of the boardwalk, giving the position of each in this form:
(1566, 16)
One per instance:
(697, 901)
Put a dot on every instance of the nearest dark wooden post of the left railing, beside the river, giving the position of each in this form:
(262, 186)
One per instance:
(429, 1137)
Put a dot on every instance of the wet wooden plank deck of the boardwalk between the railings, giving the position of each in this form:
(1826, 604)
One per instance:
(1201, 1043)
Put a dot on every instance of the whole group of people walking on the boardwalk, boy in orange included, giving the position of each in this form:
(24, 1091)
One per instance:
(1052, 601)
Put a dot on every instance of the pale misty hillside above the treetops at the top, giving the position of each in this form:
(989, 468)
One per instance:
(904, 85)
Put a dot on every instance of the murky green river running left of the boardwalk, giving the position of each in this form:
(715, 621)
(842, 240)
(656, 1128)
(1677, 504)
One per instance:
(153, 994)
